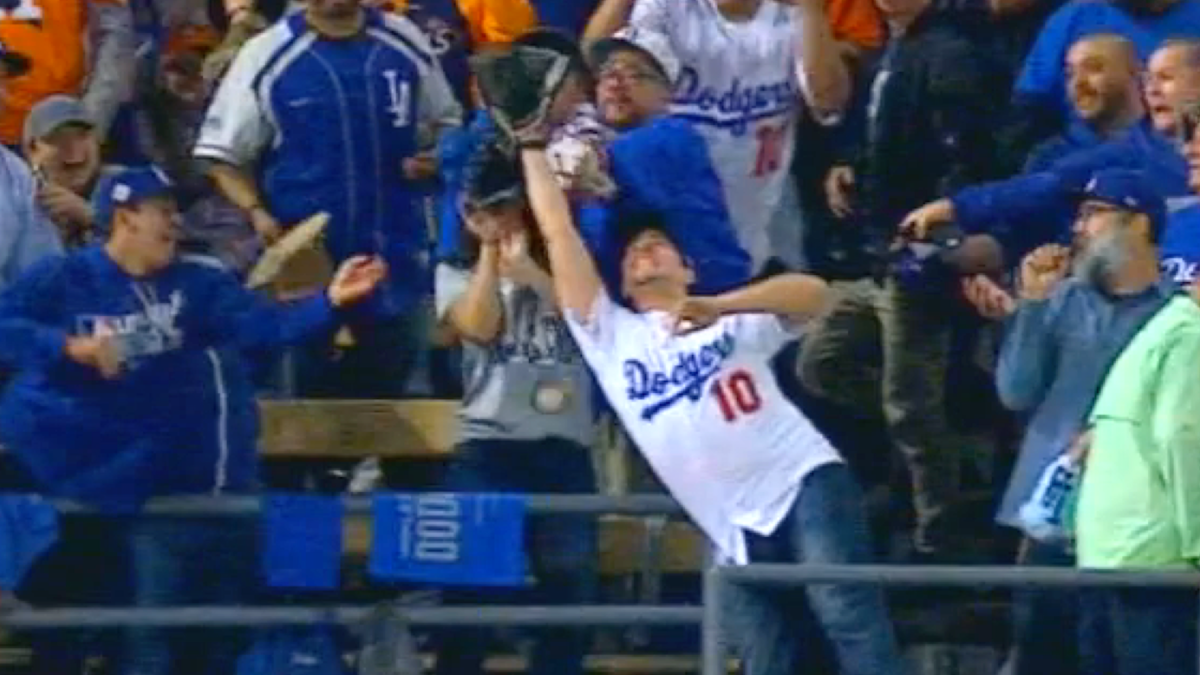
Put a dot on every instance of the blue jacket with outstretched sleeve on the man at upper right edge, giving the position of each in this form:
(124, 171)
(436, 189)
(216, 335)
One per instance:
(1025, 212)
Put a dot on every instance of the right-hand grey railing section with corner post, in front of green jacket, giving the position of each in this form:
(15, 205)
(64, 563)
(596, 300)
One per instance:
(718, 581)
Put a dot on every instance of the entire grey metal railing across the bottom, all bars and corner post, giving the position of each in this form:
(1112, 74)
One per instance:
(710, 616)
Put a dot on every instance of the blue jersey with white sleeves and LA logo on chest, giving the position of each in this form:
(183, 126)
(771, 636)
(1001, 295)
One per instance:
(329, 124)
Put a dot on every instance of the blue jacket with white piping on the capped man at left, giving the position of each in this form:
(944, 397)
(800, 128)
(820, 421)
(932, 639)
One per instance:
(179, 420)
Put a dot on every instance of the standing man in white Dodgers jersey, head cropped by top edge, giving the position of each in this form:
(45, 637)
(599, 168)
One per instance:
(746, 65)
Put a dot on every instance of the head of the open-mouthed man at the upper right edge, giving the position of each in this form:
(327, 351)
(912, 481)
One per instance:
(1173, 83)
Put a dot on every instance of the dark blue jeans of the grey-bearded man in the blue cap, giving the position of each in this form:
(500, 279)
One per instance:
(1046, 622)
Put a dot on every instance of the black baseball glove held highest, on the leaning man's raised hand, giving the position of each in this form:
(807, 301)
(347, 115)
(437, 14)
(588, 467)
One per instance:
(519, 87)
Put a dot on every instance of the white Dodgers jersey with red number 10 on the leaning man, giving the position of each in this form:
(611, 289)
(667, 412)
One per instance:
(706, 411)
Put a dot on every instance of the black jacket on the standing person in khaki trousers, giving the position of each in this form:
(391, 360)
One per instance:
(923, 123)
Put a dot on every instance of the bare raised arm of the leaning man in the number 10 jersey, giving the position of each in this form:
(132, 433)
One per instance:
(577, 280)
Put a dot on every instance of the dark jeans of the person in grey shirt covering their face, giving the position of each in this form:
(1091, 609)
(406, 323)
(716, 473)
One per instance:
(562, 548)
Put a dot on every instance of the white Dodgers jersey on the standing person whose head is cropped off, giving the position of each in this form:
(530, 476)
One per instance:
(741, 88)
